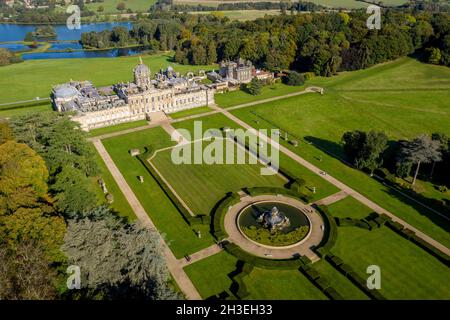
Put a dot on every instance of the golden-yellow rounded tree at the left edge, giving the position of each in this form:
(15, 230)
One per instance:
(23, 177)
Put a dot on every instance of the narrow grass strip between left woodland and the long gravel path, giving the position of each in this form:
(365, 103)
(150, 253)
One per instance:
(120, 204)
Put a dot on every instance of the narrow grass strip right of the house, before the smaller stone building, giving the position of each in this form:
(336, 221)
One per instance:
(229, 99)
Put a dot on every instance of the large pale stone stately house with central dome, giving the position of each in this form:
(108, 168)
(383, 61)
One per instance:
(168, 92)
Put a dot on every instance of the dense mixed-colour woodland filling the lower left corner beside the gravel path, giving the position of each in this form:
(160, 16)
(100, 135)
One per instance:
(50, 218)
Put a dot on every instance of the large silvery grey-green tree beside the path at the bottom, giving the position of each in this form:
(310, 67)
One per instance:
(117, 260)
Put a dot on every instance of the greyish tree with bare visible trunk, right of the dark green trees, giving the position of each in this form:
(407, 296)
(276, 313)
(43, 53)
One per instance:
(420, 150)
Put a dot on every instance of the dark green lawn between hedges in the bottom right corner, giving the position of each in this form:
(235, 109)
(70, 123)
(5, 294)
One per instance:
(407, 272)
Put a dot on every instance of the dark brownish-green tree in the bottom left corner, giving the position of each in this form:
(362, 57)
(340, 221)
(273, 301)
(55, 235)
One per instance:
(25, 274)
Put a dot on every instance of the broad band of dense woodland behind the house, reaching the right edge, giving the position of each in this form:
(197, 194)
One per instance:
(317, 42)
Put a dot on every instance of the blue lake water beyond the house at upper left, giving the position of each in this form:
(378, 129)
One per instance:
(16, 32)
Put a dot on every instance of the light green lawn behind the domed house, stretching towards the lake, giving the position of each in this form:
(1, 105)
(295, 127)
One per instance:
(35, 78)
